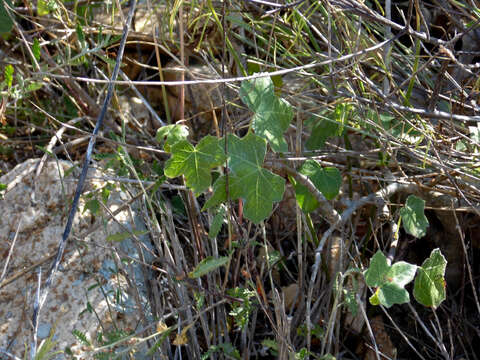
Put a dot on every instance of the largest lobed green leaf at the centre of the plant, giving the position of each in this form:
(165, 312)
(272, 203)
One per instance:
(258, 187)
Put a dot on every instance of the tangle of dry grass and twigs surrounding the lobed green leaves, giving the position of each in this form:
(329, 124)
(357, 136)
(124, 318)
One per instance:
(409, 108)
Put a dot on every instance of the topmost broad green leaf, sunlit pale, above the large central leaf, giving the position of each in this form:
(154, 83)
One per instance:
(272, 115)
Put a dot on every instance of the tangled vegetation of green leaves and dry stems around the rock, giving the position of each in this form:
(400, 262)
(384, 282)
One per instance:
(361, 110)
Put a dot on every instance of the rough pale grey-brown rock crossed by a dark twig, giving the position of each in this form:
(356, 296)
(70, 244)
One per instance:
(37, 208)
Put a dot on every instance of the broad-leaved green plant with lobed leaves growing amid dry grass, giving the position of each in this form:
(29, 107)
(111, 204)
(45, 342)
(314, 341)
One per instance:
(260, 189)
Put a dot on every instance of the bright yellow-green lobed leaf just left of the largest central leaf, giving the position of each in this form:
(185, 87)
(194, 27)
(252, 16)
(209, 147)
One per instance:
(195, 162)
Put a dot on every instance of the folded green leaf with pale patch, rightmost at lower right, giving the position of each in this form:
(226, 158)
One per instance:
(429, 288)
